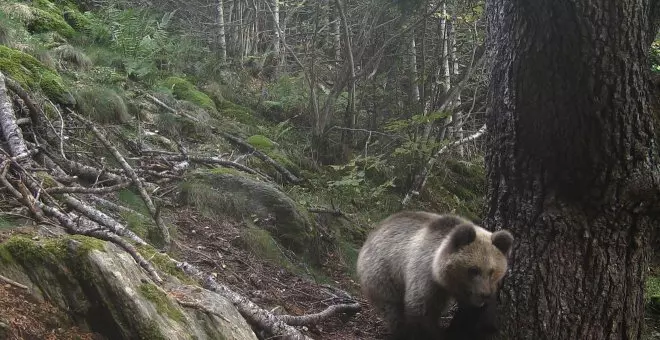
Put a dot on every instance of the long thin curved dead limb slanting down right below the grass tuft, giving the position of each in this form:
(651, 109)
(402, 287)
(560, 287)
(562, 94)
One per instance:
(165, 233)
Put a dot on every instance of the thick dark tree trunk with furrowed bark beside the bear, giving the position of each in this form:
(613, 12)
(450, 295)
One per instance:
(570, 139)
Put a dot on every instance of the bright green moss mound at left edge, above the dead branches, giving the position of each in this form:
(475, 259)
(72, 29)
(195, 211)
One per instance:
(32, 74)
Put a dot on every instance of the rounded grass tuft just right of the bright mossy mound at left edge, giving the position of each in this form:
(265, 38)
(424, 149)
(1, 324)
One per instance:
(102, 105)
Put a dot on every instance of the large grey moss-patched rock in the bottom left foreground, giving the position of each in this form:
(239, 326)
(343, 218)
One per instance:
(104, 290)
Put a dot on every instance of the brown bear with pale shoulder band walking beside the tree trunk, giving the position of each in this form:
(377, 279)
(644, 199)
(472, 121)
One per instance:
(415, 264)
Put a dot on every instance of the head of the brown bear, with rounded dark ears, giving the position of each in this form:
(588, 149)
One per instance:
(471, 261)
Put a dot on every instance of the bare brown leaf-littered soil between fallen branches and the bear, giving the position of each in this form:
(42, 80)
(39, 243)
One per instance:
(215, 247)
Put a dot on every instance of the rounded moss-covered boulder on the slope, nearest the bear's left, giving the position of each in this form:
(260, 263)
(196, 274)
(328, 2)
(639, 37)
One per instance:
(243, 197)
